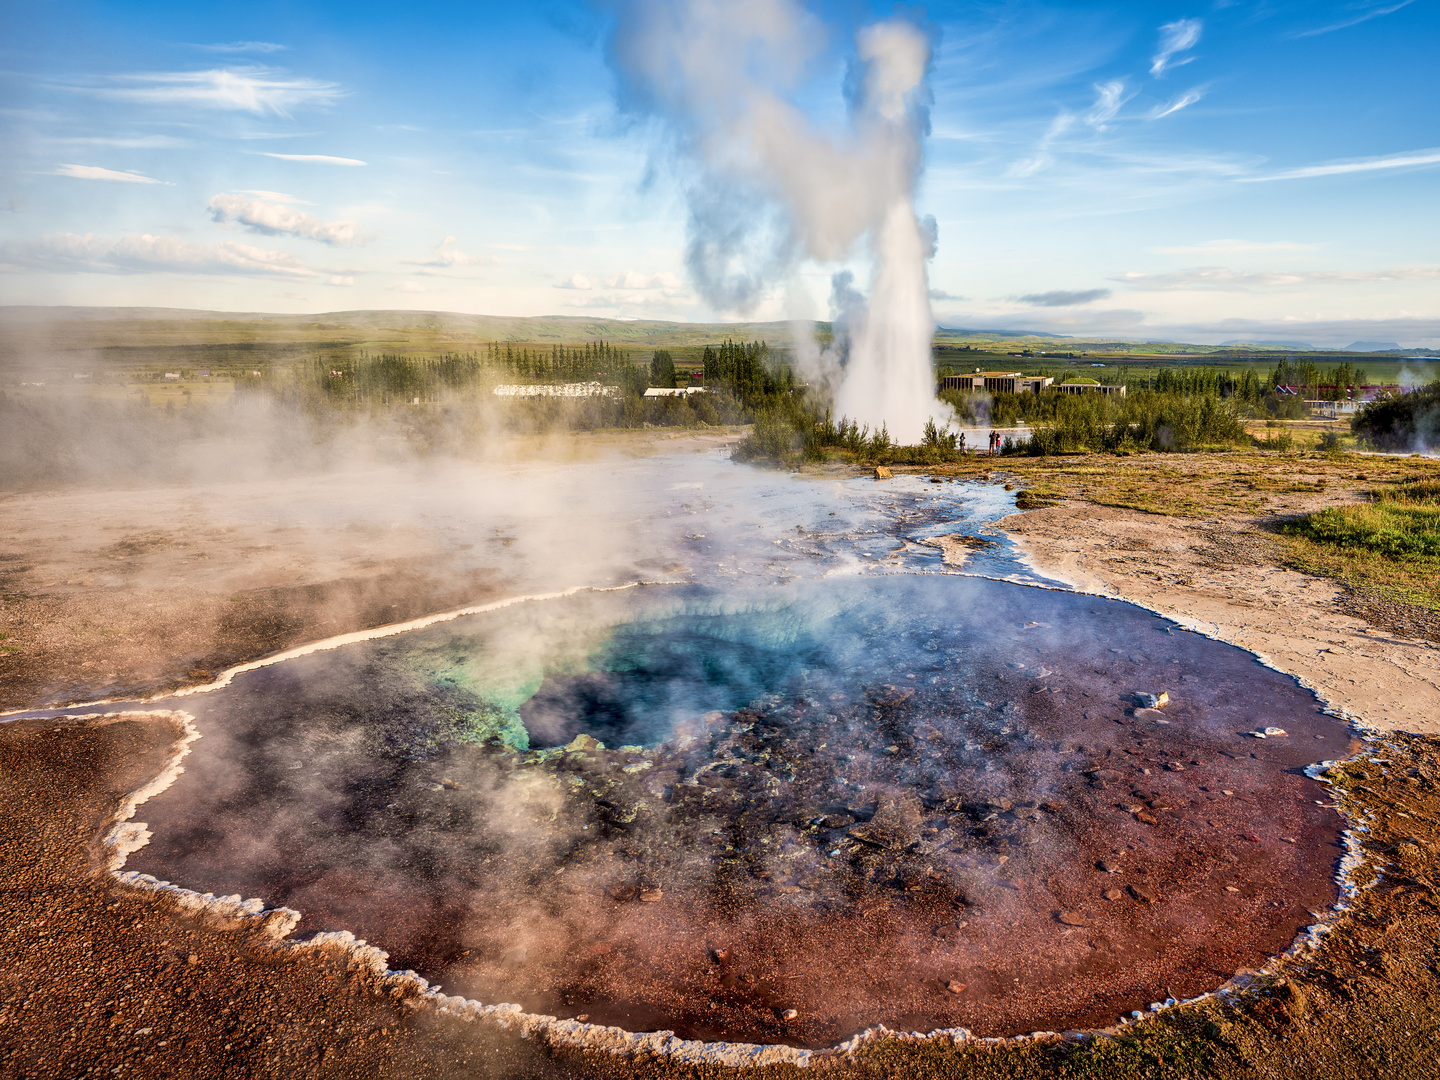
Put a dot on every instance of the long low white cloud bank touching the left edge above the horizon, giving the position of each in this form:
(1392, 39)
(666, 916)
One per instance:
(146, 254)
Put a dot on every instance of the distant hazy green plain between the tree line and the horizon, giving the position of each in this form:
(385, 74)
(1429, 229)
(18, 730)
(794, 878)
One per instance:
(138, 346)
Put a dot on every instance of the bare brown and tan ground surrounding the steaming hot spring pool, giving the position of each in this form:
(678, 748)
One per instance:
(96, 978)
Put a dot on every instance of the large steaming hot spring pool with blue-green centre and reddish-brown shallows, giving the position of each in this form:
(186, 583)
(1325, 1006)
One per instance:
(777, 814)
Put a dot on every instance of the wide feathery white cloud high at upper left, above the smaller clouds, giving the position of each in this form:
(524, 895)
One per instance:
(246, 90)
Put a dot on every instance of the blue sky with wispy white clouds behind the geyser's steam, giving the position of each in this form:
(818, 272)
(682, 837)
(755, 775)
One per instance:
(1209, 171)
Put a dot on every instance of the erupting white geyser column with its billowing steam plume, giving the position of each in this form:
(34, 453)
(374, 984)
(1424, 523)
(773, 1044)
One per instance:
(771, 189)
